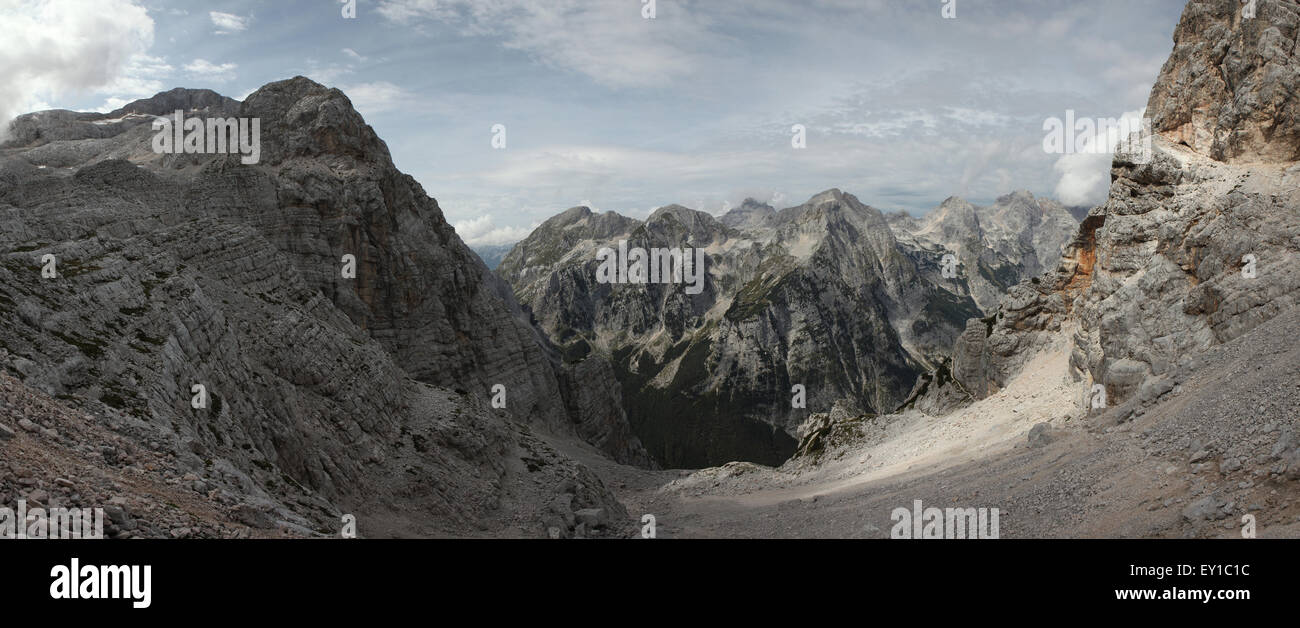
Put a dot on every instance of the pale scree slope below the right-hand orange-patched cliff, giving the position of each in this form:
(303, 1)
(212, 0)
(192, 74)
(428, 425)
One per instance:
(1189, 466)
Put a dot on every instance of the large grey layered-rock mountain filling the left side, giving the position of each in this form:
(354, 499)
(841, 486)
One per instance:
(324, 395)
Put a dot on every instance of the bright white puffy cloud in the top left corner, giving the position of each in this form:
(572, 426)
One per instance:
(58, 49)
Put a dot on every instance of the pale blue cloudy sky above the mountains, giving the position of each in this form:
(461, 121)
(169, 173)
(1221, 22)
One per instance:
(604, 106)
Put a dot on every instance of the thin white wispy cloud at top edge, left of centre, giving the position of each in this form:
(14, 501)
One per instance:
(609, 42)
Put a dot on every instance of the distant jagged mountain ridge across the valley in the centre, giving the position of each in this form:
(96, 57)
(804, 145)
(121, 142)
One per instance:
(831, 296)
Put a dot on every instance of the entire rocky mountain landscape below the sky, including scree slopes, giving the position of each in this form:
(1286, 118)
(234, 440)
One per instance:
(206, 348)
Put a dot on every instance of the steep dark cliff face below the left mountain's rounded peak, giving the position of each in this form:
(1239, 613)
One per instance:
(327, 188)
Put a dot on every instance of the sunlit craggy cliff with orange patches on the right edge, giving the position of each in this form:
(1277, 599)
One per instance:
(1195, 246)
